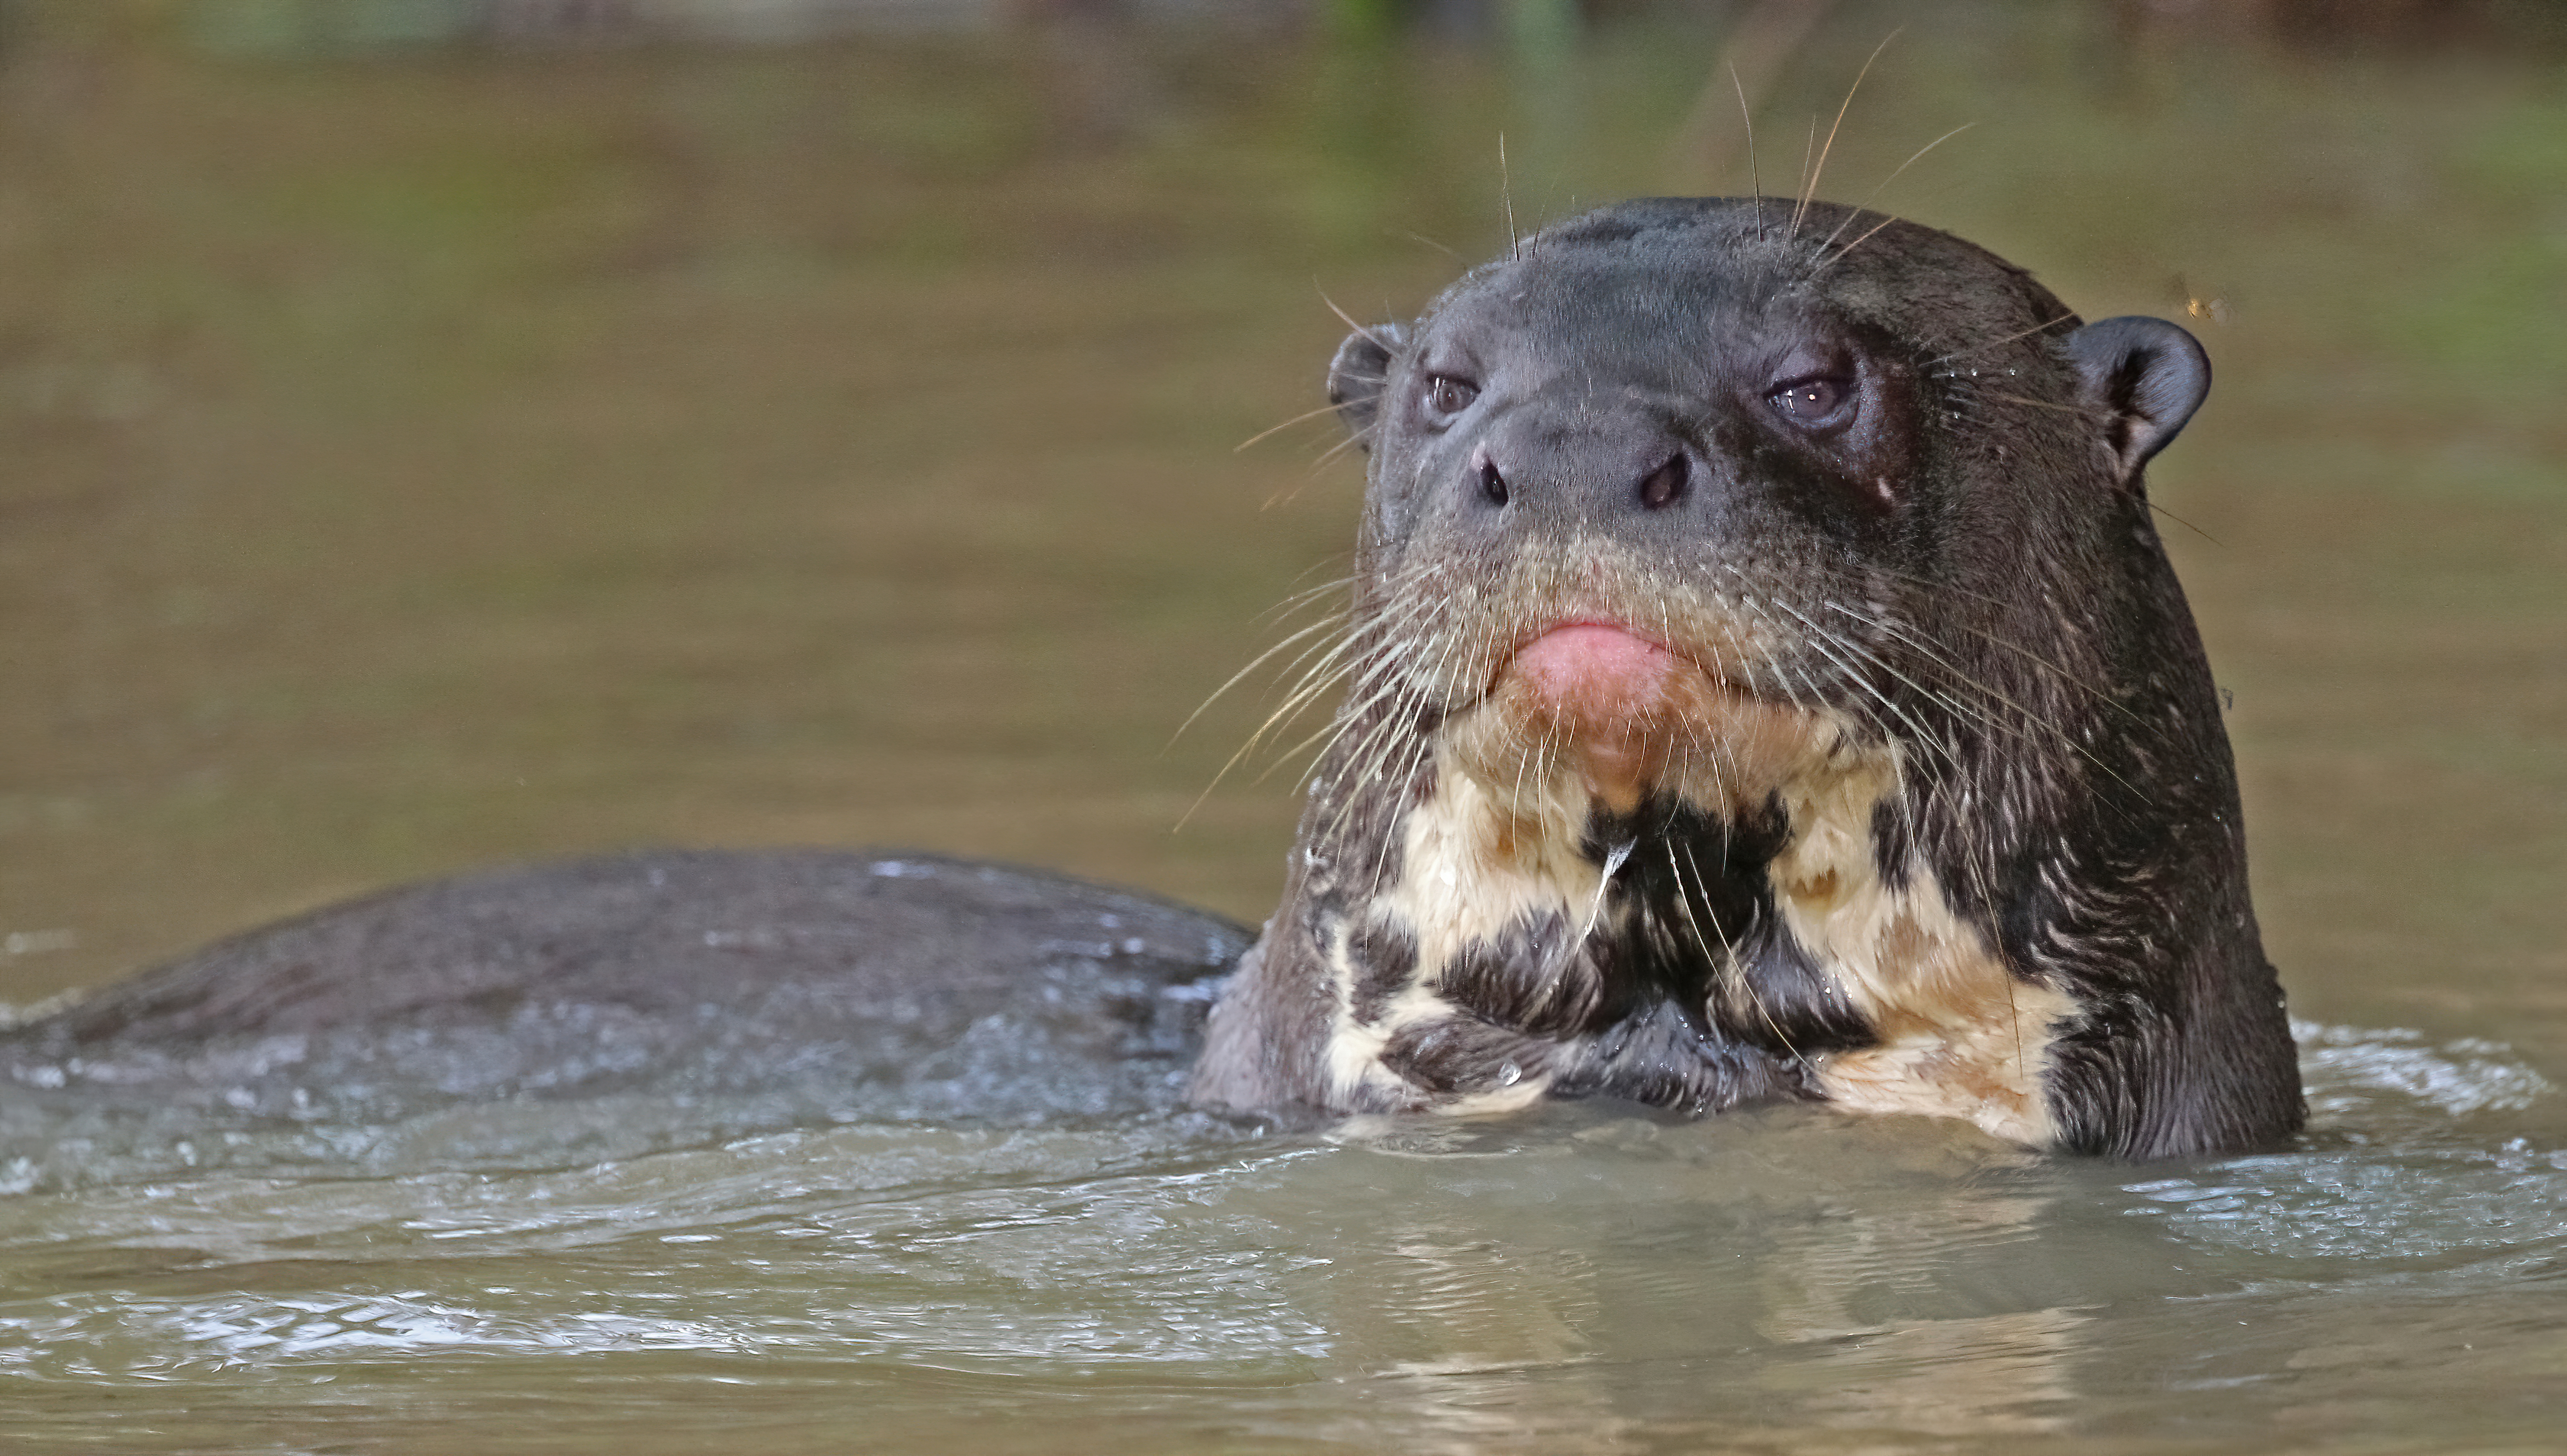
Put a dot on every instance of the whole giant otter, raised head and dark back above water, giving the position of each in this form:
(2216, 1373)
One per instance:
(1767, 684)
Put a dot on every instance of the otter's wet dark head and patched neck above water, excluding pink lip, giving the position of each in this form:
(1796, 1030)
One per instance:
(1934, 810)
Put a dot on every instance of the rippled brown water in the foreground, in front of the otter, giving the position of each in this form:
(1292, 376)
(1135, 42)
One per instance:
(1490, 1285)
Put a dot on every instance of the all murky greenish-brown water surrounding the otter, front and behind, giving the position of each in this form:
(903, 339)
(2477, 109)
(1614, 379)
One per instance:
(435, 461)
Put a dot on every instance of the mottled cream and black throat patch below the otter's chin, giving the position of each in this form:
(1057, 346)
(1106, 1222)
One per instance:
(1726, 959)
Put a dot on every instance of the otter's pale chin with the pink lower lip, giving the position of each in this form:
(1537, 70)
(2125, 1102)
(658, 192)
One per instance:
(1608, 718)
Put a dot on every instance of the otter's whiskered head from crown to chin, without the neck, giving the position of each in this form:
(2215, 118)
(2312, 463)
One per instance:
(1680, 499)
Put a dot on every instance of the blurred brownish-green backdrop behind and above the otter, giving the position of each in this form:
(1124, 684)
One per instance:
(448, 433)
